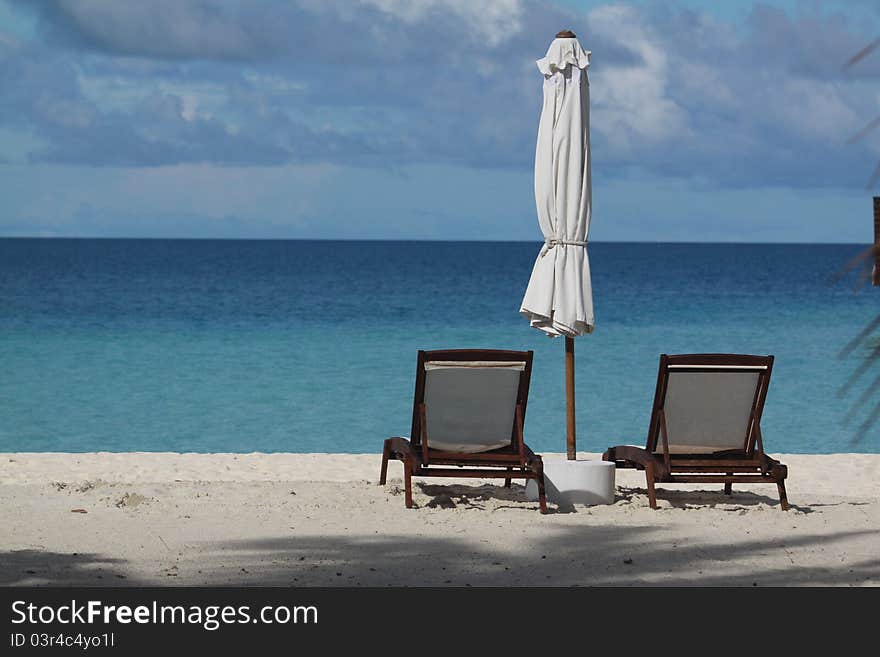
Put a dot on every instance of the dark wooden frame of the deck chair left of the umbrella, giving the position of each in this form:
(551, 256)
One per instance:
(513, 461)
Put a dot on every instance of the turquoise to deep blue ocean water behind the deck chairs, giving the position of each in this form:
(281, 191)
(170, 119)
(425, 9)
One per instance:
(310, 346)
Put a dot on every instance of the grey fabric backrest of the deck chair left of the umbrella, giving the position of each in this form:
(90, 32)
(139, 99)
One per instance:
(470, 405)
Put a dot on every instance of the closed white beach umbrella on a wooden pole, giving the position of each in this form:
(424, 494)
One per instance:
(559, 297)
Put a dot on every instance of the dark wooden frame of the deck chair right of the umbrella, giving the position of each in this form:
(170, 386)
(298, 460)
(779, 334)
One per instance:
(750, 464)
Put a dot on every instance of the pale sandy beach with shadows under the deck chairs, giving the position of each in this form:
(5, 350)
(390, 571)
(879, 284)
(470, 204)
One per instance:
(320, 519)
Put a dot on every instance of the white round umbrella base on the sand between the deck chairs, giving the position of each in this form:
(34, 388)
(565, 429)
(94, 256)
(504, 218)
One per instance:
(576, 482)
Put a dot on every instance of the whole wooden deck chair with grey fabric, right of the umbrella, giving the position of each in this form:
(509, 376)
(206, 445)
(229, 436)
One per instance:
(706, 425)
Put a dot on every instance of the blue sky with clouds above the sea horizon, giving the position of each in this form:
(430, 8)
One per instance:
(397, 119)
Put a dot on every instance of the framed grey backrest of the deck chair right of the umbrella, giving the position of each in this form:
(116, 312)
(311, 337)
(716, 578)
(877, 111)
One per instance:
(710, 403)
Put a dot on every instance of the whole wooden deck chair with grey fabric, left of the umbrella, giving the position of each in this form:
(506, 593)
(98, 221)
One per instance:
(468, 413)
